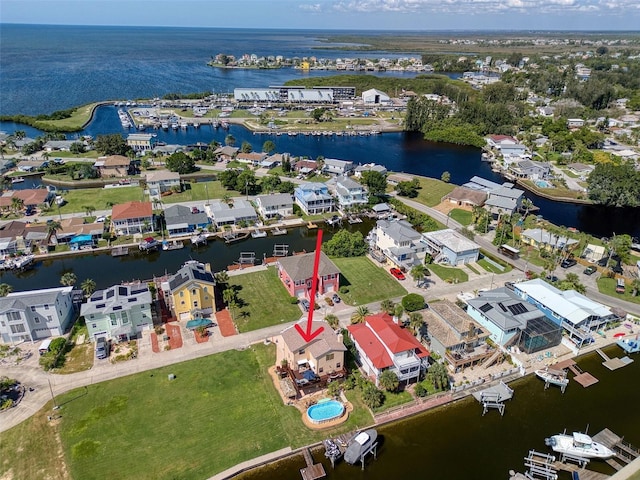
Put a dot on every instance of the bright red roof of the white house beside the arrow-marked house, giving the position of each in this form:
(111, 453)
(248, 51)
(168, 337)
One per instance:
(379, 335)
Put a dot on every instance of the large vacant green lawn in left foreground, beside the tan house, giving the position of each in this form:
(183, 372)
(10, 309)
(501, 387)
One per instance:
(219, 411)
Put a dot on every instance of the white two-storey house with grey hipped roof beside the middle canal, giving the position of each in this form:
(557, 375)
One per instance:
(399, 242)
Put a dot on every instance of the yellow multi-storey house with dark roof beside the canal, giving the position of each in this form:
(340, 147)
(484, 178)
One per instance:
(191, 291)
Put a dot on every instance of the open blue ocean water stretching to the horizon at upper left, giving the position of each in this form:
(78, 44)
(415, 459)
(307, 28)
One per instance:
(45, 68)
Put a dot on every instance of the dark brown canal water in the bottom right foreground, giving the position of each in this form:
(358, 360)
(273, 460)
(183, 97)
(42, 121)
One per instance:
(456, 442)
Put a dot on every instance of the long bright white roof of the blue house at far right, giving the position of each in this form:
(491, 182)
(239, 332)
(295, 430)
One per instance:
(568, 304)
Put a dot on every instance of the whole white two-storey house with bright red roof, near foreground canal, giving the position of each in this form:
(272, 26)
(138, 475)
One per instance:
(383, 345)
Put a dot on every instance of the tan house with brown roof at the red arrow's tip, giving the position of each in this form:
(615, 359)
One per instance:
(323, 355)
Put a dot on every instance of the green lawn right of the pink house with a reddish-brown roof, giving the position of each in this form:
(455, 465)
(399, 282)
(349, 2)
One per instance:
(366, 282)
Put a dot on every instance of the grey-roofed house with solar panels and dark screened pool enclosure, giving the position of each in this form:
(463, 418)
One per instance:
(512, 321)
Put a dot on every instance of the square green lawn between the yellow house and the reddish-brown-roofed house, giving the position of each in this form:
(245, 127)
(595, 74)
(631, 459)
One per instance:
(265, 301)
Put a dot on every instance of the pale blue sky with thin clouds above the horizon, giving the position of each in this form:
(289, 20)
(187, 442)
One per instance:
(334, 14)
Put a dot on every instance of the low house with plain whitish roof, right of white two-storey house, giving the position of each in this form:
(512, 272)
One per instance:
(450, 247)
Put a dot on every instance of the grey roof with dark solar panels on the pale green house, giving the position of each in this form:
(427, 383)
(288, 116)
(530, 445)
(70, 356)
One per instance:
(116, 298)
